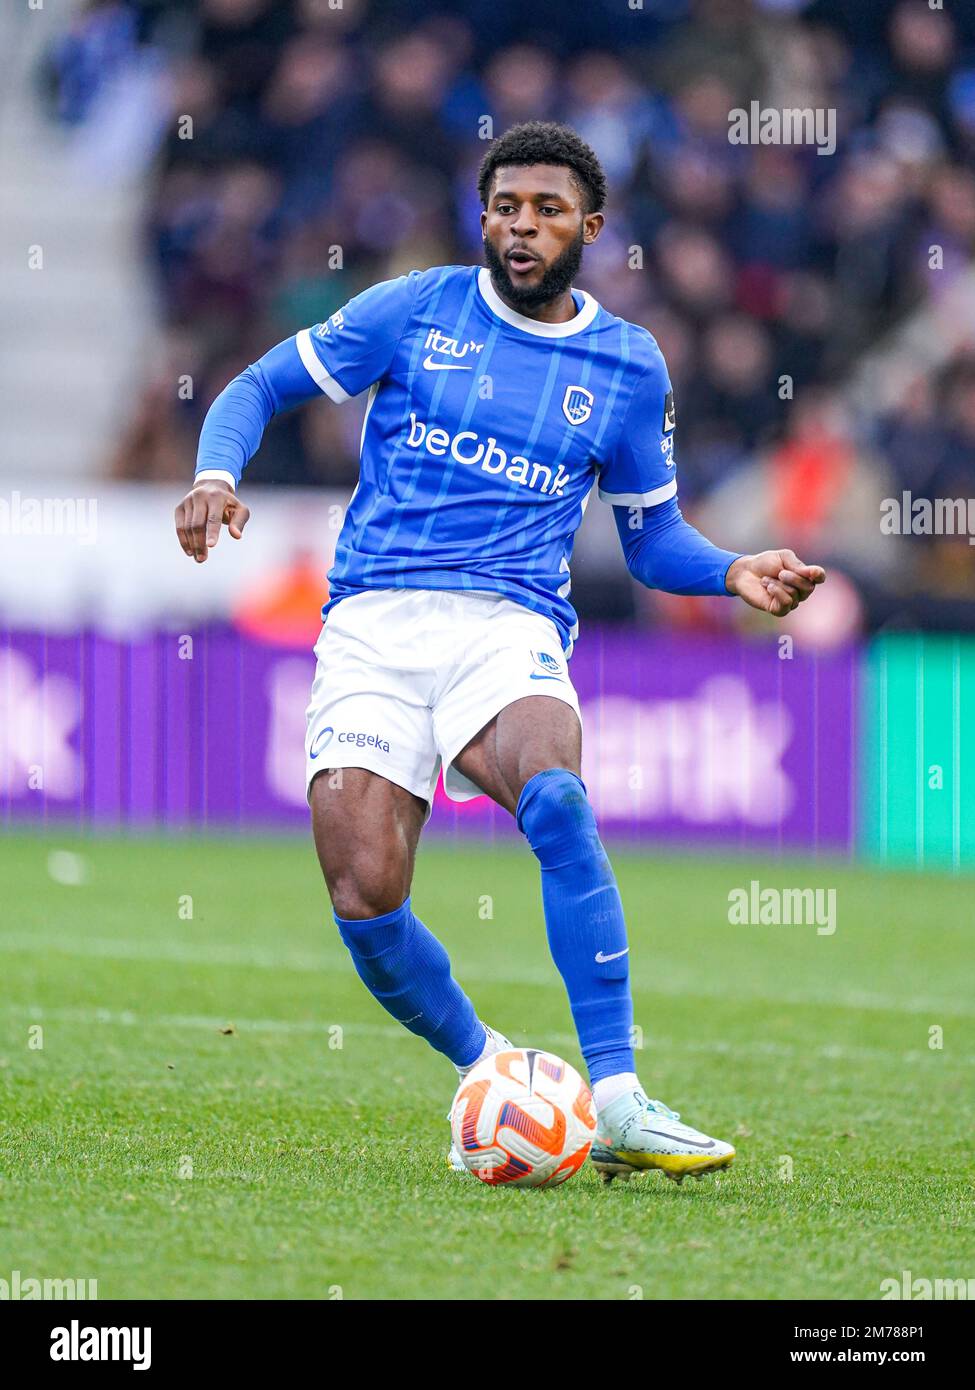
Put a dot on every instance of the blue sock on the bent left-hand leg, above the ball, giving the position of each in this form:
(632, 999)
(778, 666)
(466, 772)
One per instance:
(408, 971)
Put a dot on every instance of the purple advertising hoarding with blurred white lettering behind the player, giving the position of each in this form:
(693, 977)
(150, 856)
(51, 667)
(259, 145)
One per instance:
(686, 740)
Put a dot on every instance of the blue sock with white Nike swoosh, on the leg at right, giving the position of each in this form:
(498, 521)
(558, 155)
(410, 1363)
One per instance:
(583, 917)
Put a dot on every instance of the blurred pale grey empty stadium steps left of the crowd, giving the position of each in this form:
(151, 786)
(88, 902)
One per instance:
(77, 333)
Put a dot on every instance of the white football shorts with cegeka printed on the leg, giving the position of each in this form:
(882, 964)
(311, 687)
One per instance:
(408, 678)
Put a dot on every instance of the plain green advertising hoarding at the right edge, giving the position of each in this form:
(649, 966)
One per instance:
(919, 749)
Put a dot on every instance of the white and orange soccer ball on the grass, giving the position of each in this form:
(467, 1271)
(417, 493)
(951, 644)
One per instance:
(524, 1118)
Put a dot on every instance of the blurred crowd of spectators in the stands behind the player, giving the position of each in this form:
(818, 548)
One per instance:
(333, 144)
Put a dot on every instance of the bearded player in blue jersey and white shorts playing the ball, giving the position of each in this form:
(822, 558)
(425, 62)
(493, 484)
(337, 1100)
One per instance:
(499, 398)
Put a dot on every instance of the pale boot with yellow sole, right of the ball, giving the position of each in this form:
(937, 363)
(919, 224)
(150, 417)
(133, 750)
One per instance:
(635, 1134)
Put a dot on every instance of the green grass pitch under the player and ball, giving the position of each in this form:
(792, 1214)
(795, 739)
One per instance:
(191, 1127)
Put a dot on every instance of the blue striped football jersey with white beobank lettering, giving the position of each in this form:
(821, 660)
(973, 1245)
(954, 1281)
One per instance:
(485, 436)
